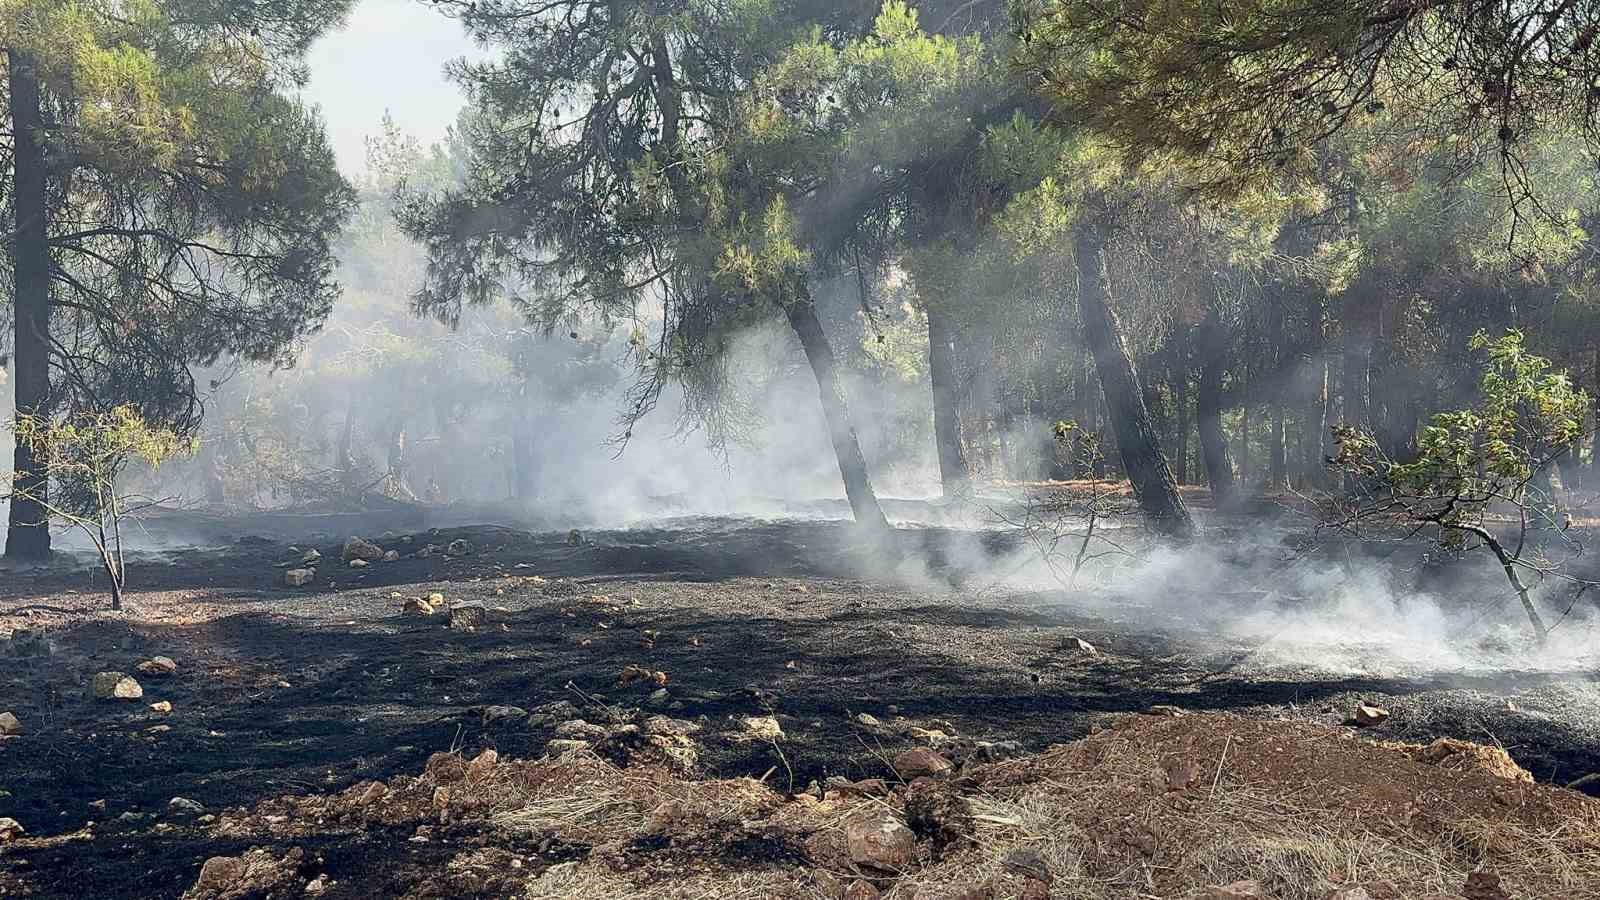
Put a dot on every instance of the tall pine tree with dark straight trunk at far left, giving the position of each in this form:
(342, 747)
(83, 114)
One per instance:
(170, 206)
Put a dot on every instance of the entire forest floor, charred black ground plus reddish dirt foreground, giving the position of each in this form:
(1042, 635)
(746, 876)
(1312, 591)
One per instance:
(745, 693)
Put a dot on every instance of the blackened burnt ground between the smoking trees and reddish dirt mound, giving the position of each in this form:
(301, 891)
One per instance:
(292, 691)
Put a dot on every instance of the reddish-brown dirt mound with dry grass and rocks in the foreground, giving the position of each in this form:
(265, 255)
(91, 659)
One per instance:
(1148, 808)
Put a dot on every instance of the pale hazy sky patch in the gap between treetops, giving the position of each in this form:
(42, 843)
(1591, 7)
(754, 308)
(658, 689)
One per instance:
(388, 57)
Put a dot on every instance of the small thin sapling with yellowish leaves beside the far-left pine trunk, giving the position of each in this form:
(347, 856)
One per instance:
(89, 456)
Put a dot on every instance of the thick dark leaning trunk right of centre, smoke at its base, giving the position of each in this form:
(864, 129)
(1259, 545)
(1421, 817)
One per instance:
(1137, 440)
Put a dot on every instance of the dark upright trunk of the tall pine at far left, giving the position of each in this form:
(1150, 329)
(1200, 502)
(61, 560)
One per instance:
(28, 536)
